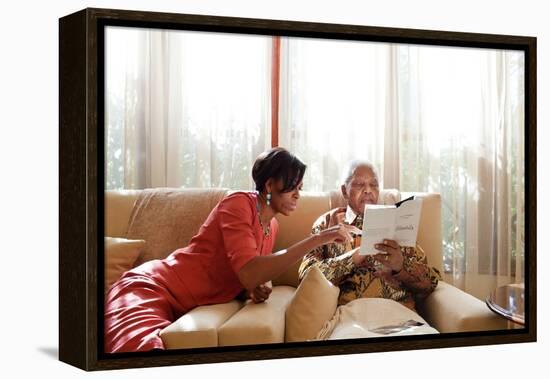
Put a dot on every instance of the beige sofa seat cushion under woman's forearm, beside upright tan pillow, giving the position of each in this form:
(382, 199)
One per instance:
(258, 323)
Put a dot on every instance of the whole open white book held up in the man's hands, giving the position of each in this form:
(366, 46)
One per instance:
(397, 222)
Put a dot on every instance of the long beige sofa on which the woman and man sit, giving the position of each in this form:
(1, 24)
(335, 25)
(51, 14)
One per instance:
(447, 309)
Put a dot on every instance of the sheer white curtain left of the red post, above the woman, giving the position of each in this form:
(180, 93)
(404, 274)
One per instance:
(185, 109)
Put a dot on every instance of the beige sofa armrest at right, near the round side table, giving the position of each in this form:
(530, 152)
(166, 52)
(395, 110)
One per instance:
(450, 310)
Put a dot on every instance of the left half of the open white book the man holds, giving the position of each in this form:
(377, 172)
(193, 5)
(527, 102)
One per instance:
(378, 224)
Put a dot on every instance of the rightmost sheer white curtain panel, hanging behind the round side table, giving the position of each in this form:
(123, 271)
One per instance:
(465, 109)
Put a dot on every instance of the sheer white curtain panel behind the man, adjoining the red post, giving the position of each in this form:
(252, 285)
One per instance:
(335, 105)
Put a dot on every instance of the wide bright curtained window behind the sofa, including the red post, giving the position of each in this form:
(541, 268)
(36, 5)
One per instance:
(194, 109)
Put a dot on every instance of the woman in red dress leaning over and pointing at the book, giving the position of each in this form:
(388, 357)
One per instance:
(231, 252)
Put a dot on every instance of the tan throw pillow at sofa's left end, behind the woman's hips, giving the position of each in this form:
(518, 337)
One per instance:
(120, 256)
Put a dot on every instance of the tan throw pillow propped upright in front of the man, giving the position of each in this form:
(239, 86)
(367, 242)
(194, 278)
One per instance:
(313, 304)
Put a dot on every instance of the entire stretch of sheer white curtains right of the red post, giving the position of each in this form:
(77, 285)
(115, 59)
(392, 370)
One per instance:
(437, 119)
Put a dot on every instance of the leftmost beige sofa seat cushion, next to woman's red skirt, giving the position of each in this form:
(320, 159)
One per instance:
(199, 327)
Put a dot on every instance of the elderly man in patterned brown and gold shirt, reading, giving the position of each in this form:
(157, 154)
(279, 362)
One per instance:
(401, 273)
